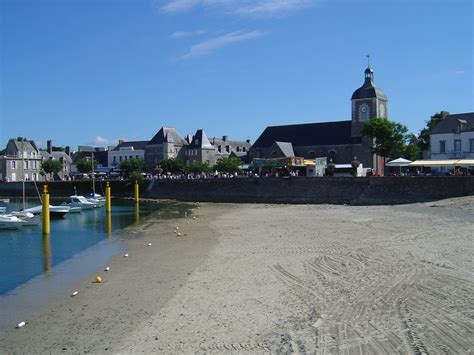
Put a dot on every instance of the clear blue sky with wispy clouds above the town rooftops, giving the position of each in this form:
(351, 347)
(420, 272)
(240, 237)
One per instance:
(91, 72)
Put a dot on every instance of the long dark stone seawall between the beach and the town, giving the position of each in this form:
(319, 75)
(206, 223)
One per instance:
(335, 190)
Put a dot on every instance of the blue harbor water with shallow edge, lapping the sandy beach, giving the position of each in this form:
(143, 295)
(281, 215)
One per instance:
(35, 268)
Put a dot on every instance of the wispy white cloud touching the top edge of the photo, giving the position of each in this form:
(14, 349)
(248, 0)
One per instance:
(242, 7)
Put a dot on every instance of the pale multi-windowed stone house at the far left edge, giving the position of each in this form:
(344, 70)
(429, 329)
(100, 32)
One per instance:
(21, 160)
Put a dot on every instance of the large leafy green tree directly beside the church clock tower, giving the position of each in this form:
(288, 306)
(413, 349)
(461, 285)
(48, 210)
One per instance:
(389, 137)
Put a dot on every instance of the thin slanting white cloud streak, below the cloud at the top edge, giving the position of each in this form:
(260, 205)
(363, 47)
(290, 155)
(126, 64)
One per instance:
(207, 47)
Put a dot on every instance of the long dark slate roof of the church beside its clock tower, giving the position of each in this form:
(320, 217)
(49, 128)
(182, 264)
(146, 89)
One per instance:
(308, 134)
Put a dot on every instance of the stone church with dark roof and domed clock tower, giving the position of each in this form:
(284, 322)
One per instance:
(340, 141)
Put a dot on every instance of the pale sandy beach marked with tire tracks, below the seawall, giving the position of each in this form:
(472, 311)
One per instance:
(276, 278)
